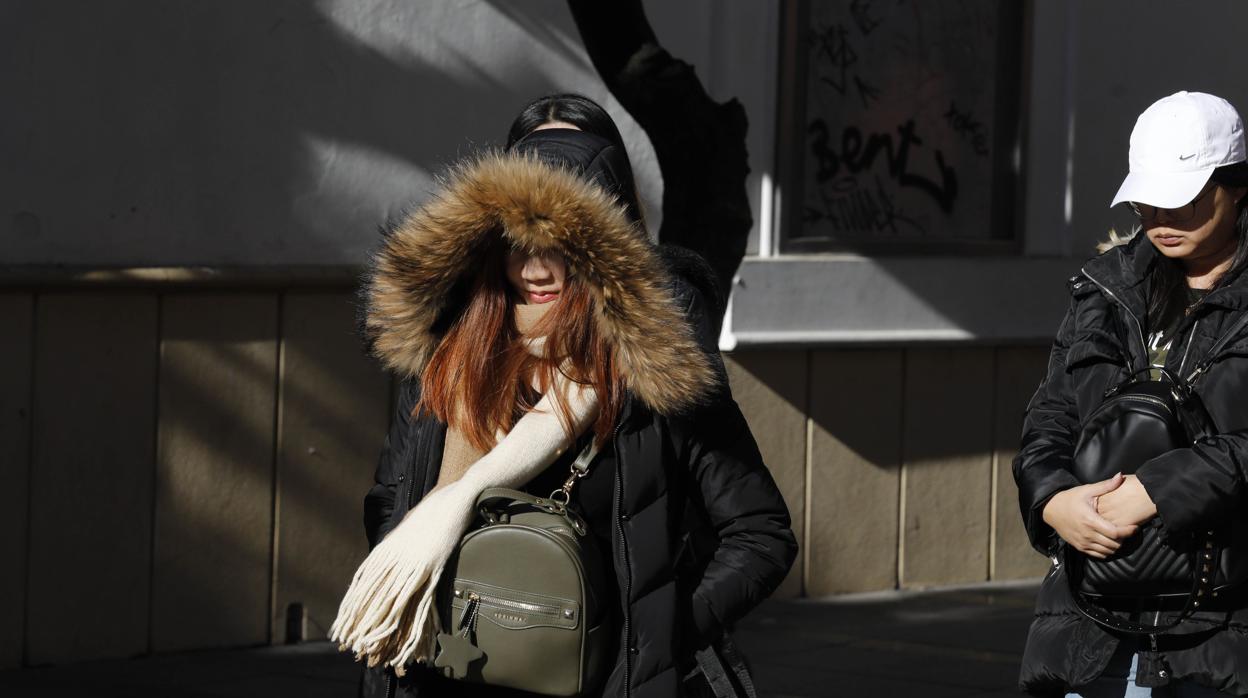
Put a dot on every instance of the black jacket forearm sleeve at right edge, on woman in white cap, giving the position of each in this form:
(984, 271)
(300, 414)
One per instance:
(1200, 486)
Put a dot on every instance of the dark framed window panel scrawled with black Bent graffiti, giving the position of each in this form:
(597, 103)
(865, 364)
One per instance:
(899, 128)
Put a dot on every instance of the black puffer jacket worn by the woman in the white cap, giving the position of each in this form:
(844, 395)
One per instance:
(1100, 340)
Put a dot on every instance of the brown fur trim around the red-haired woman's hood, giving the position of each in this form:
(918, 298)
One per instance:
(540, 208)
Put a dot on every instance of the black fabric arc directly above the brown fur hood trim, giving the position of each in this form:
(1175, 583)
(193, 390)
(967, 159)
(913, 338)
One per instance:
(591, 157)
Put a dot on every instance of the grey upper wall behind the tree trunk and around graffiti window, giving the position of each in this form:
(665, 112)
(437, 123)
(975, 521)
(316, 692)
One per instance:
(208, 133)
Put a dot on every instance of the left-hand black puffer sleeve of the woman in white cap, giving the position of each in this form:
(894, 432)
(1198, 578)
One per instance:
(1043, 468)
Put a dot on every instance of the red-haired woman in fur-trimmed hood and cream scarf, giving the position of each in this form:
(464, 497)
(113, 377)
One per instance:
(527, 313)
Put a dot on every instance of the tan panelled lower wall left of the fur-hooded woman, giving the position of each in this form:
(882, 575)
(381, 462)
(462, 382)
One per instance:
(268, 421)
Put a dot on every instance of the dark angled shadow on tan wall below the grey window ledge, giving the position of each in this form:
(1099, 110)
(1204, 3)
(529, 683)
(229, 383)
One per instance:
(893, 405)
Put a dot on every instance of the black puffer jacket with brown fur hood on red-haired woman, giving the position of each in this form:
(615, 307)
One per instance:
(702, 534)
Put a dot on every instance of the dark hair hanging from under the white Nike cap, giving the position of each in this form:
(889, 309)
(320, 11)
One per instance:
(1168, 284)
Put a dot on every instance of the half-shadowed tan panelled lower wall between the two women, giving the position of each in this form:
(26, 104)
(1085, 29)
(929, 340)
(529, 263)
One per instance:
(902, 450)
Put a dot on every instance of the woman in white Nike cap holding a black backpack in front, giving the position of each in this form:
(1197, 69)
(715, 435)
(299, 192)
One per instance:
(1166, 305)
